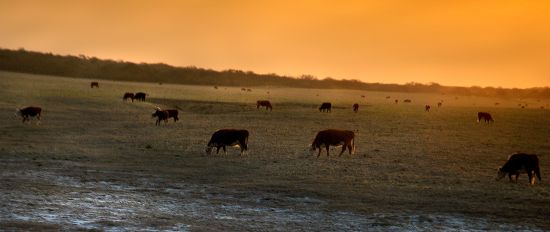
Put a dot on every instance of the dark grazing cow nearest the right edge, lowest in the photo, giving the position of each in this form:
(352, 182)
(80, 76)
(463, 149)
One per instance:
(520, 163)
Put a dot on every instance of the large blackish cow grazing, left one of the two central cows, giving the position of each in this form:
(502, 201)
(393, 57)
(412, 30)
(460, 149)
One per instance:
(228, 137)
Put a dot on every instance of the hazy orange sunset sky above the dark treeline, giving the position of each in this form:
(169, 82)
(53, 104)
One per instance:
(462, 43)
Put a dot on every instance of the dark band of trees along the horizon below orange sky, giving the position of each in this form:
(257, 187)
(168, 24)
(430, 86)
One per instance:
(91, 67)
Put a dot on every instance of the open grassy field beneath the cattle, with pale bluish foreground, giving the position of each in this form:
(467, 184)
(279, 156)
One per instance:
(96, 162)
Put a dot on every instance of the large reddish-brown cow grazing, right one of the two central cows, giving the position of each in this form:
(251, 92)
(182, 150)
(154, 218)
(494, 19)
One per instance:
(335, 138)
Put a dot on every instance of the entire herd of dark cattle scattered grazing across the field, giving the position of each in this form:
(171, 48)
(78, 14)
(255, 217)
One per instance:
(516, 164)
